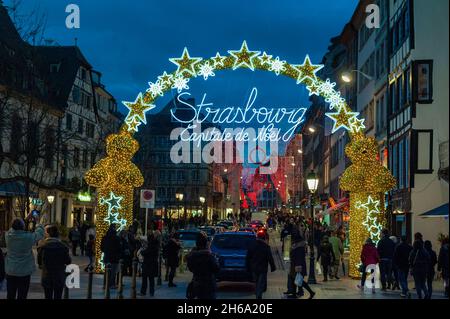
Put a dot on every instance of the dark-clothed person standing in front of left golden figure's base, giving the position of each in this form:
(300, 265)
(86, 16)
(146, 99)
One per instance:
(112, 251)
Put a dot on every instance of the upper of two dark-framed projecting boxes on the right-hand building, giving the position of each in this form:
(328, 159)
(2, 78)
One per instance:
(423, 81)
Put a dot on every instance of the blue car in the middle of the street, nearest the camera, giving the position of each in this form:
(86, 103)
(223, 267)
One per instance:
(230, 248)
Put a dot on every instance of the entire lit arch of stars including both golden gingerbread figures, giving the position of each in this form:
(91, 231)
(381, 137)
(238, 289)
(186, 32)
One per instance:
(115, 176)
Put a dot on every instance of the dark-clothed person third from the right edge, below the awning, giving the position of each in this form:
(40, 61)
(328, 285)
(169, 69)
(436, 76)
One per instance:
(419, 263)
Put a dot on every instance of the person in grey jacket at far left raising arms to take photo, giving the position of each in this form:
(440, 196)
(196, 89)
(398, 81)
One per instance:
(19, 261)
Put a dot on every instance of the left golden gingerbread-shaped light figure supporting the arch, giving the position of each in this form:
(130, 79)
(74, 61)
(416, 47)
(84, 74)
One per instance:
(115, 178)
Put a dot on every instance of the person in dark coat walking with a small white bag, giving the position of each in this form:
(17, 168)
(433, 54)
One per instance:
(297, 257)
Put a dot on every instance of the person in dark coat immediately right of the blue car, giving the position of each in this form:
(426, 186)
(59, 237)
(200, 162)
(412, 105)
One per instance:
(259, 257)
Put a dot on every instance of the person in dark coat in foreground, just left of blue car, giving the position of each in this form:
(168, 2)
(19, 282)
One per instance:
(204, 268)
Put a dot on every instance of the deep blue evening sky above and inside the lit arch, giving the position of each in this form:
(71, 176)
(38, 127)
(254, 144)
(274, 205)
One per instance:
(130, 42)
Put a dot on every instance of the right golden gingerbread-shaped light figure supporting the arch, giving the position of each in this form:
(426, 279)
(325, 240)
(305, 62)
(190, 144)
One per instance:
(367, 181)
